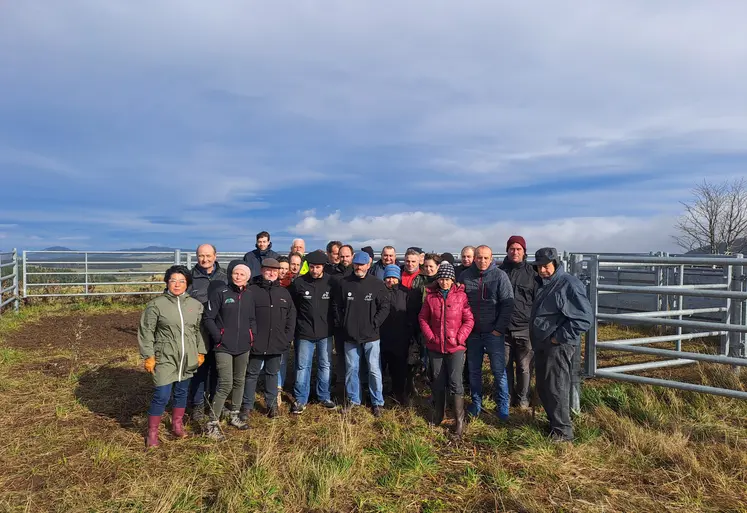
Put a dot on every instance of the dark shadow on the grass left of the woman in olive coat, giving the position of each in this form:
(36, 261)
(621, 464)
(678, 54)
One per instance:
(118, 393)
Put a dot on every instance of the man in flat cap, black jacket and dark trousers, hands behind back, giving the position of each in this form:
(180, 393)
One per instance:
(275, 316)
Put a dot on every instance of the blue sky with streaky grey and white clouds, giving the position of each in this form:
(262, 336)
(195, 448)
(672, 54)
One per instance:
(578, 124)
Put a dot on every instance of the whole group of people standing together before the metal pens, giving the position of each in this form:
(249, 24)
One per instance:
(213, 333)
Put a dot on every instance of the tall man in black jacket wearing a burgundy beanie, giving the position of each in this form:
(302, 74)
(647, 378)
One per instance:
(519, 354)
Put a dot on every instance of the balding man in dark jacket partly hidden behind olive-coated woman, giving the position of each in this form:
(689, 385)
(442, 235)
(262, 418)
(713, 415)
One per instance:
(207, 276)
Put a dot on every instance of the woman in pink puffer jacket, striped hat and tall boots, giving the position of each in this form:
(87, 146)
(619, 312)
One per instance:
(446, 321)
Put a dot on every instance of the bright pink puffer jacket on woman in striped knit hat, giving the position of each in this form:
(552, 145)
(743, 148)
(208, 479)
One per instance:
(446, 324)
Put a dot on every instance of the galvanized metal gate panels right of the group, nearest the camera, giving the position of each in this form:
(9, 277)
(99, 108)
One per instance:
(729, 301)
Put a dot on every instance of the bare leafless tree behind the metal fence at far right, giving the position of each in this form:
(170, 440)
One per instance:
(716, 218)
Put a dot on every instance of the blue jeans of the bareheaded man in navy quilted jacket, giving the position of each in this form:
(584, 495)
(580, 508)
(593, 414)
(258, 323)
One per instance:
(478, 344)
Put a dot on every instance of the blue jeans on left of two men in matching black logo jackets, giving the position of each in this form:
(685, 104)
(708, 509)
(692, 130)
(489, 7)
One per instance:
(304, 362)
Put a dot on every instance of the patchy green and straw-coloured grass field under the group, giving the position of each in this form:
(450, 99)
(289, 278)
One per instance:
(72, 410)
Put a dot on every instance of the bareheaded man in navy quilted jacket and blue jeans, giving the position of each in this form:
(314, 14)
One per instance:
(491, 299)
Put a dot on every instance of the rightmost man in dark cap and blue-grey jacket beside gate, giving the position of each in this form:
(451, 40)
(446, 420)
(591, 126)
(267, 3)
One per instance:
(560, 314)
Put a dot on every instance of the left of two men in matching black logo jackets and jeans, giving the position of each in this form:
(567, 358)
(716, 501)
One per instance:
(311, 294)
